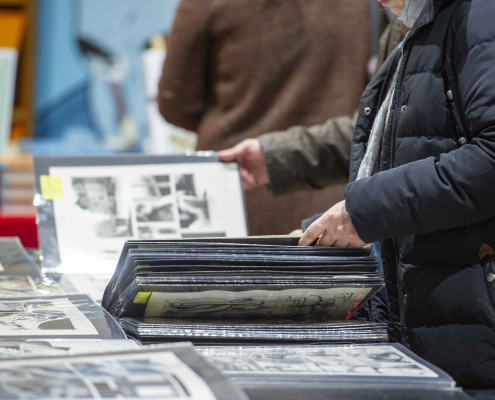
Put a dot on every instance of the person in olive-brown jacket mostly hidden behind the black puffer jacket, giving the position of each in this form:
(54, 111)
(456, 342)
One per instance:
(304, 157)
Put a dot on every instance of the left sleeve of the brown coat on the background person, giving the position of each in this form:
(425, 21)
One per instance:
(182, 90)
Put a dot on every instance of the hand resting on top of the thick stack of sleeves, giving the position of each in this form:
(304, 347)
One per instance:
(333, 229)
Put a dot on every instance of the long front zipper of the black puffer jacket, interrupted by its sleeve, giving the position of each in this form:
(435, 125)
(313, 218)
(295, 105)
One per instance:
(391, 165)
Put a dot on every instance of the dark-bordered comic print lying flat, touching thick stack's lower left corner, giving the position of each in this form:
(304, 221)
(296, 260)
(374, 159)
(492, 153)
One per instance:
(56, 317)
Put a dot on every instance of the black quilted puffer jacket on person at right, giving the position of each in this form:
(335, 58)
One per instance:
(432, 203)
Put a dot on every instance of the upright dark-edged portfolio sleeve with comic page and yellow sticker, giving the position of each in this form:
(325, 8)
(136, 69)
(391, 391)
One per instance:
(88, 207)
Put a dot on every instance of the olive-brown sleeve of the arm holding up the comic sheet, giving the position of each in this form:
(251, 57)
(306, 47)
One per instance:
(308, 158)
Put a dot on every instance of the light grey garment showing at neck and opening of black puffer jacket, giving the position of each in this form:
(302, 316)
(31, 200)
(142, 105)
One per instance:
(408, 15)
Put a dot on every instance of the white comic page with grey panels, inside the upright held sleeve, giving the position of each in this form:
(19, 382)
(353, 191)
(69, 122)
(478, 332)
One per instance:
(102, 207)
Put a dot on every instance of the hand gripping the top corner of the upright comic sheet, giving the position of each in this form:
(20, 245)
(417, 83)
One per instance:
(252, 166)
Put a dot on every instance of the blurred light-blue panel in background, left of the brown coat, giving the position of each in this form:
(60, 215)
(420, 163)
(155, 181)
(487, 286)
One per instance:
(76, 91)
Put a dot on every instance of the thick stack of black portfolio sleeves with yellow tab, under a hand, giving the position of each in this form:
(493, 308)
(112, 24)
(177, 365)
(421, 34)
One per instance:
(264, 289)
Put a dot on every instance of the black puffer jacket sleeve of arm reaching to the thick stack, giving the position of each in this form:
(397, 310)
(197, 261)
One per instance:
(458, 188)
